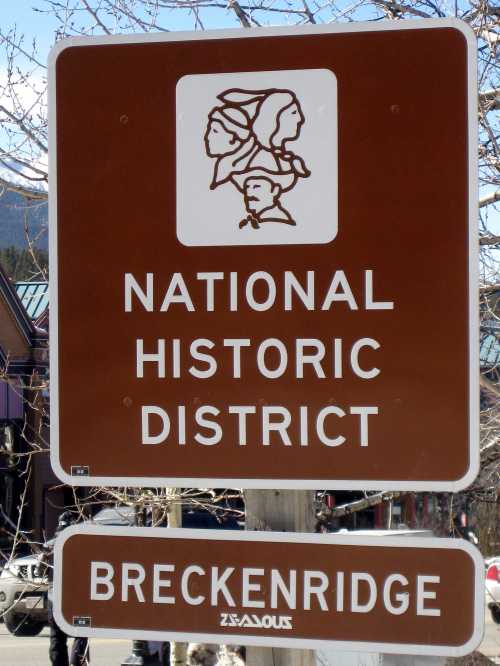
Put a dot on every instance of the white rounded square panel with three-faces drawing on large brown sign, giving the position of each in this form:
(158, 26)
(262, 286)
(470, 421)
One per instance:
(257, 158)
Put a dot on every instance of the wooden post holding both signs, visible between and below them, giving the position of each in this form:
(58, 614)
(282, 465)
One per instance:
(280, 511)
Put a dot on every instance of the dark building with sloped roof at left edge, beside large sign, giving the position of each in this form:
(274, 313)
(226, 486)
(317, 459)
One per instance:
(25, 473)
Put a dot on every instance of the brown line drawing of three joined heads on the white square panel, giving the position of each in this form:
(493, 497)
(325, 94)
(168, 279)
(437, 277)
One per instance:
(247, 136)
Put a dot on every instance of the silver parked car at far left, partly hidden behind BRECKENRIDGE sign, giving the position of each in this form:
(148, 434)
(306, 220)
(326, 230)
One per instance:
(24, 582)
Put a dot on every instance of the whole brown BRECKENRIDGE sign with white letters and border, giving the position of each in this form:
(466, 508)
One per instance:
(303, 591)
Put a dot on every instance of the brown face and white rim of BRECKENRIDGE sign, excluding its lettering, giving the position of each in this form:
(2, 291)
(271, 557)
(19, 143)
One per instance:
(456, 631)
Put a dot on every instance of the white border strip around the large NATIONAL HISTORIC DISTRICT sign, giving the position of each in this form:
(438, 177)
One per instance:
(473, 269)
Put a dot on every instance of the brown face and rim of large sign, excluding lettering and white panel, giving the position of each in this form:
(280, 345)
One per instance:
(403, 213)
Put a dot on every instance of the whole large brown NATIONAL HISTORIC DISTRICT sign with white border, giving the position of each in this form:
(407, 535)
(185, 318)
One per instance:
(269, 235)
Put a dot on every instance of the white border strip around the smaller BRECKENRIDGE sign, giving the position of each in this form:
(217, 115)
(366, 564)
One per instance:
(280, 537)
